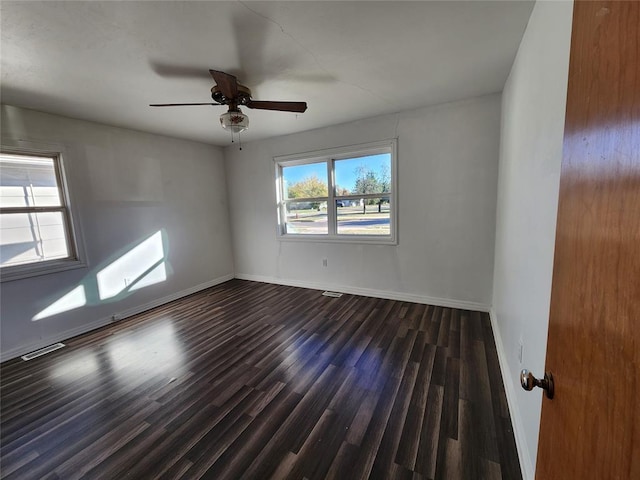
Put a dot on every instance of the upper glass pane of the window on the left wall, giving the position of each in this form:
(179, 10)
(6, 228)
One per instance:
(28, 181)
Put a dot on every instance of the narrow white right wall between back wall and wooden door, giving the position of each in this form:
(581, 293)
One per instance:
(533, 107)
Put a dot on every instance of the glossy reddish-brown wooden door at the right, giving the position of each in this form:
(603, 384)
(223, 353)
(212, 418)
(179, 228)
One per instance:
(591, 429)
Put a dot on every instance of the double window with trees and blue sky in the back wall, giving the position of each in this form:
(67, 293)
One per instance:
(345, 194)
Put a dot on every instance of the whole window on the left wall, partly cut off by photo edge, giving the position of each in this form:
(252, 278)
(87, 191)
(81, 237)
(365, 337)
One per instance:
(36, 234)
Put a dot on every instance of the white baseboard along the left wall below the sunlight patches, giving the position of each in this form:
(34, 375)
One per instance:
(61, 336)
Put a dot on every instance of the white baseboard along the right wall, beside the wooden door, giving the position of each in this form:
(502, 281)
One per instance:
(528, 472)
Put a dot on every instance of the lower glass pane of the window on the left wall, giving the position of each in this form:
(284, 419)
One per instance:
(32, 237)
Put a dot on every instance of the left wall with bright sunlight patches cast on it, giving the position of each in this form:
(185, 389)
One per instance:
(125, 186)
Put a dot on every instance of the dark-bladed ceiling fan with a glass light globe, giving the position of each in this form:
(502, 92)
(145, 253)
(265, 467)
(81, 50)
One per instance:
(227, 91)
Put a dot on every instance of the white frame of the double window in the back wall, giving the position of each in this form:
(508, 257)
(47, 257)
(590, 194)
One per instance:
(329, 156)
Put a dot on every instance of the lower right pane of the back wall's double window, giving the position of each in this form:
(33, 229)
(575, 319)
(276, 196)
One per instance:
(368, 216)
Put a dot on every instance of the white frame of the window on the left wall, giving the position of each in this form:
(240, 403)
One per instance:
(73, 233)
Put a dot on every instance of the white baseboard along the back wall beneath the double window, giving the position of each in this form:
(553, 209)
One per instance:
(368, 292)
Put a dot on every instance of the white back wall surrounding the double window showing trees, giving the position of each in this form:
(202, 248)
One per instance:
(447, 166)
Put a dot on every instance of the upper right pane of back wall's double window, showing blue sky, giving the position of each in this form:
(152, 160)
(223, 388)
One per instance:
(370, 174)
